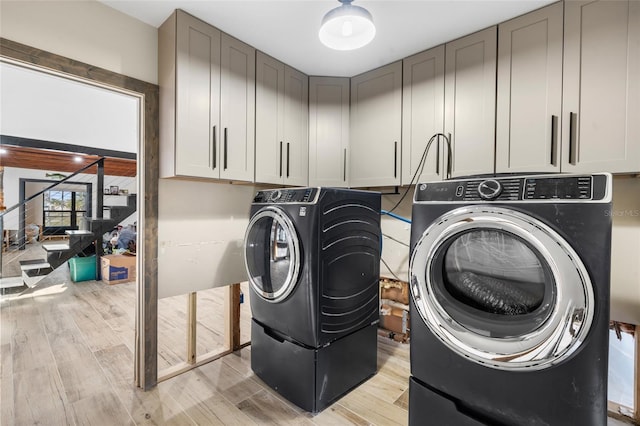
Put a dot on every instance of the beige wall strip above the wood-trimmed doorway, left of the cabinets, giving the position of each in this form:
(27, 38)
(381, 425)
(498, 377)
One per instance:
(87, 31)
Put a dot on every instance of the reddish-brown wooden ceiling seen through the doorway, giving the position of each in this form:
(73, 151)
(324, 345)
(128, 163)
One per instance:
(61, 161)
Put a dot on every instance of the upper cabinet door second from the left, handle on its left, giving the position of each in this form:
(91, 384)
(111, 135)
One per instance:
(237, 109)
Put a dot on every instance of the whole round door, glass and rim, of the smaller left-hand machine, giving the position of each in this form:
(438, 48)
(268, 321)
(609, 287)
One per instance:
(272, 254)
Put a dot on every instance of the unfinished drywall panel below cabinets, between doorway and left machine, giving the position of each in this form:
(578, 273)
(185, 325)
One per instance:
(201, 236)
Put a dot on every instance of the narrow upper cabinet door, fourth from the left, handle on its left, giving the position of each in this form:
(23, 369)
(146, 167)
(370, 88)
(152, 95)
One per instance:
(296, 127)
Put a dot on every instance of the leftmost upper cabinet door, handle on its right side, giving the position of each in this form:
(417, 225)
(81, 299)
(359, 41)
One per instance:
(198, 83)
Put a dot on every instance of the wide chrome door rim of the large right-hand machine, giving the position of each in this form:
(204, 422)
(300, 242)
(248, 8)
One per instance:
(555, 339)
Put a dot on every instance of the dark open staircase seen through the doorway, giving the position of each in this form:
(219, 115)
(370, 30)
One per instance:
(77, 242)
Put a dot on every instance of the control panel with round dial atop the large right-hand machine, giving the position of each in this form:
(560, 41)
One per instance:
(530, 188)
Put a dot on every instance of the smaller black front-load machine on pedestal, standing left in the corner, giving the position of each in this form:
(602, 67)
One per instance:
(313, 261)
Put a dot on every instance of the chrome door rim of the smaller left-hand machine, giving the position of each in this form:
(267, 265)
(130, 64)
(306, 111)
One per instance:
(280, 217)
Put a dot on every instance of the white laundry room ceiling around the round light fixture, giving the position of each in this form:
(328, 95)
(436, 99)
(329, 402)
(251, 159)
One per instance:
(288, 29)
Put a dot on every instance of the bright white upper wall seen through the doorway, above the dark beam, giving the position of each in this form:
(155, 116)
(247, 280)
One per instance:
(36, 105)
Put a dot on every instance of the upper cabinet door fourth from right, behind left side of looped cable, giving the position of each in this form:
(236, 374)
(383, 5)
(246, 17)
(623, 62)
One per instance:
(422, 115)
